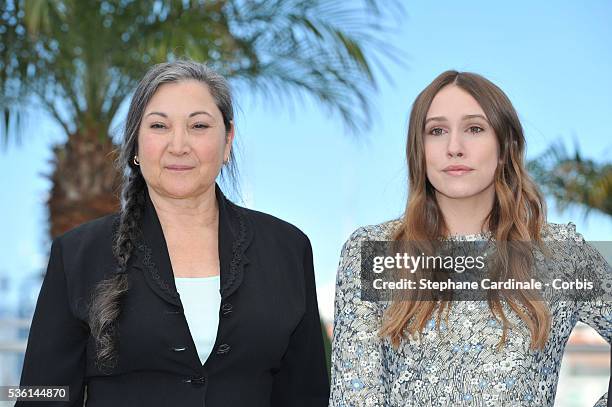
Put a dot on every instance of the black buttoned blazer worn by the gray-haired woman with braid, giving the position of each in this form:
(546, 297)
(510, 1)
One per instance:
(268, 351)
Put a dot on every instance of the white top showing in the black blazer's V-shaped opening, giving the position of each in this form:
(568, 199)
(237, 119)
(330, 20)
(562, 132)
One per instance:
(201, 300)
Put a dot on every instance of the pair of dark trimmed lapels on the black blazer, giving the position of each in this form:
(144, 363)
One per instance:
(151, 254)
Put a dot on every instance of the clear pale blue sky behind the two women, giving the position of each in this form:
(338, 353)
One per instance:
(302, 166)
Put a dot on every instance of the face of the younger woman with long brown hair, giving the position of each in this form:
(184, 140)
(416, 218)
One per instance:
(461, 149)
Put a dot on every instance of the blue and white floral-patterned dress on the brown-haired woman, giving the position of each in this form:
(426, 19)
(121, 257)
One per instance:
(457, 364)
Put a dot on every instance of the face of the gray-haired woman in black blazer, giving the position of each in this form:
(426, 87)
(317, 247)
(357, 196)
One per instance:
(182, 141)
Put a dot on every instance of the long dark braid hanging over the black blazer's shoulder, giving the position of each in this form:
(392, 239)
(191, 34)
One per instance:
(106, 305)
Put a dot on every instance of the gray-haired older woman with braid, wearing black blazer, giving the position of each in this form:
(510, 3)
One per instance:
(182, 298)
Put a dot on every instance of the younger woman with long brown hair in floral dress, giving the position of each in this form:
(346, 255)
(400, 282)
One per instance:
(467, 182)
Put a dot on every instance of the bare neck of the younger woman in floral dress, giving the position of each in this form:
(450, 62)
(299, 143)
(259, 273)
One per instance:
(466, 216)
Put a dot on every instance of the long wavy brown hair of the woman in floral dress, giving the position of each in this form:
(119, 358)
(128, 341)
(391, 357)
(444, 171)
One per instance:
(518, 212)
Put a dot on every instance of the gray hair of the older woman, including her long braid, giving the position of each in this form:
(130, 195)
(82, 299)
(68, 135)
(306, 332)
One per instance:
(105, 305)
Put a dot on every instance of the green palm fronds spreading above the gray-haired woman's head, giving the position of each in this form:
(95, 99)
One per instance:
(82, 58)
